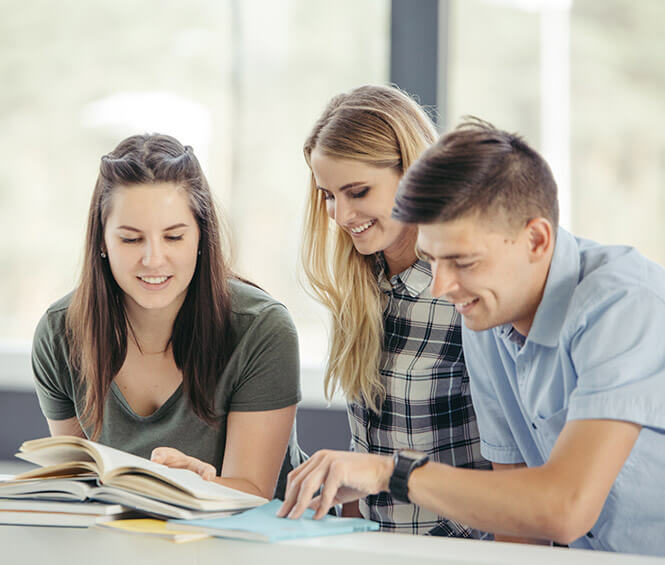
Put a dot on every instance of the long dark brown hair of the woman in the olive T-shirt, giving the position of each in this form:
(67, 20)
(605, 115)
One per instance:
(96, 320)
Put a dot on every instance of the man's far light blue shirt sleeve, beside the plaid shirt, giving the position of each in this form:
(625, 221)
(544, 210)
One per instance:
(497, 443)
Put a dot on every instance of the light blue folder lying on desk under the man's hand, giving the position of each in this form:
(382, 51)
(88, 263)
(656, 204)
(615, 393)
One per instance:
(261, 524)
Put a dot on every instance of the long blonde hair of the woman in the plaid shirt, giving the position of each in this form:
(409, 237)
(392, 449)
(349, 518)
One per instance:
(382, 127)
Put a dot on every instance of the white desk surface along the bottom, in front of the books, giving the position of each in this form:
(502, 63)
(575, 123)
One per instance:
(56, 546)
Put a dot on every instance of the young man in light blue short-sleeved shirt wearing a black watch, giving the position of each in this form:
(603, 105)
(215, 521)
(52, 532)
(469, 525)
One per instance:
(563, 340)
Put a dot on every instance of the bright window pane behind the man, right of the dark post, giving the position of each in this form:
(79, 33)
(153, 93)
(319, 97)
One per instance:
(583, 81)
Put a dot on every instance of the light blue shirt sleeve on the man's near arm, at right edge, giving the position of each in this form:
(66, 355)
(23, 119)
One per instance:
(619, 358)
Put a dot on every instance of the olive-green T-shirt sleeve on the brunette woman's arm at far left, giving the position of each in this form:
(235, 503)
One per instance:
(54, 400)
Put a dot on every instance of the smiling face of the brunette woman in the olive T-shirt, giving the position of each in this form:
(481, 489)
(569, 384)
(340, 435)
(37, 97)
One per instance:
(151, 239)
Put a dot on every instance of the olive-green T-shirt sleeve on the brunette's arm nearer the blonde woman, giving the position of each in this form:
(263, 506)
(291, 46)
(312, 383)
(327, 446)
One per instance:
(270, 365)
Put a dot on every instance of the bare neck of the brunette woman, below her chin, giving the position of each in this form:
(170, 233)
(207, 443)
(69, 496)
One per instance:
(150, 329)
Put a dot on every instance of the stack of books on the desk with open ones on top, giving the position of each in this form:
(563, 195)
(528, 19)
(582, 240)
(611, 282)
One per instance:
(80, 482)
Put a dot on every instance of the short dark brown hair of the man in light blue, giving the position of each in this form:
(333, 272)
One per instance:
(477, 168)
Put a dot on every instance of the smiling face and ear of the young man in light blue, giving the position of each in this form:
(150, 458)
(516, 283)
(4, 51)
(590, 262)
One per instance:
(492, 274)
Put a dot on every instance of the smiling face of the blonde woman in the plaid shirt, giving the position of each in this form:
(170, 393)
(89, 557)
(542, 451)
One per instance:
(360, 198)
